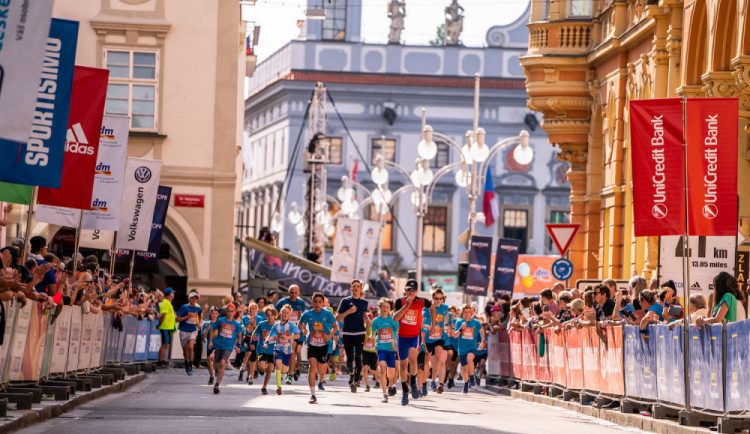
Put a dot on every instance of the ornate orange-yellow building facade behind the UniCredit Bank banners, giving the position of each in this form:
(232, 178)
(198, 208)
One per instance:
(586, 61)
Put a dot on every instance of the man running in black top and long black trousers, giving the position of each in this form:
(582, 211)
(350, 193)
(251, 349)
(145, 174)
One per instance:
(351, 312)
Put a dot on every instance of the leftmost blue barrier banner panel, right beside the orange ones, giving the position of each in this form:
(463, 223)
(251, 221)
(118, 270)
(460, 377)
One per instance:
(640, 363)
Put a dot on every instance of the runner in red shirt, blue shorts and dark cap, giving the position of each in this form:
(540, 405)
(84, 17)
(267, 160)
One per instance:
(409, 315)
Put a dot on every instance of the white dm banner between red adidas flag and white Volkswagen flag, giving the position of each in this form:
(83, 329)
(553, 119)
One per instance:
(106, 199)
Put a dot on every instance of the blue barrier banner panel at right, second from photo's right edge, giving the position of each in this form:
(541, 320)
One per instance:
(706, 376)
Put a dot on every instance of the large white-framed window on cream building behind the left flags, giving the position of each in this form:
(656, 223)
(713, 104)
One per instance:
(133, 87)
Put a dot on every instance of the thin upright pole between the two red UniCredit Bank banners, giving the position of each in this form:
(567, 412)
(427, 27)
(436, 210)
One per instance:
(686, 267)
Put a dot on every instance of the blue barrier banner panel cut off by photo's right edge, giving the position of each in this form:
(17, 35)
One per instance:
(737, 393)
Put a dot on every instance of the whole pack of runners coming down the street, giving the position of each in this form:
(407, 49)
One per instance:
(422, 343)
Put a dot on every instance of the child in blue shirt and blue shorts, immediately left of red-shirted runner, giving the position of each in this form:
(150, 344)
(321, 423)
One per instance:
(385, 328)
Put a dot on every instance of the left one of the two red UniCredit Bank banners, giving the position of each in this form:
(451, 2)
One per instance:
(658, 167)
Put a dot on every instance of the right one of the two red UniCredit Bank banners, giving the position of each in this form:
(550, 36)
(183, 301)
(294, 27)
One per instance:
(712, 159)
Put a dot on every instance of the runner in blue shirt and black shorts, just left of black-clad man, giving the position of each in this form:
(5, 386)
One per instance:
(322, 327)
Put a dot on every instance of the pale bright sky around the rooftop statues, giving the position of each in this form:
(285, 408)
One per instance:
(278, 20)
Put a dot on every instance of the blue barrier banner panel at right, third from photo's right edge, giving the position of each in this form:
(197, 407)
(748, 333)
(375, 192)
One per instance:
(670, 365)
